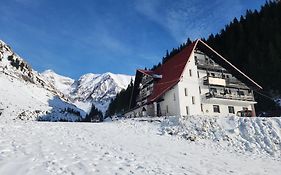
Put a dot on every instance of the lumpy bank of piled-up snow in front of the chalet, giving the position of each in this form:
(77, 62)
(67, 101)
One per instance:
(256, 135)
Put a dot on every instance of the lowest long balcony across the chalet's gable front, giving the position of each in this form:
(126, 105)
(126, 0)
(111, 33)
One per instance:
(229, 96)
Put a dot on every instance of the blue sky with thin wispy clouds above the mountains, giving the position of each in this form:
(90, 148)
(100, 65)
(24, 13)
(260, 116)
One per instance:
(76, 37)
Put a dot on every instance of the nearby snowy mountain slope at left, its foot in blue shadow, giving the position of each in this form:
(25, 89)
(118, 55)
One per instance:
(26, 95)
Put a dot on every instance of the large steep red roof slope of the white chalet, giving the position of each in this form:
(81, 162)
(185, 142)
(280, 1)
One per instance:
(171, 72)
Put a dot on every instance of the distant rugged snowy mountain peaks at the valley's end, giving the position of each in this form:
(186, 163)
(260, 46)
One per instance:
(97, 89)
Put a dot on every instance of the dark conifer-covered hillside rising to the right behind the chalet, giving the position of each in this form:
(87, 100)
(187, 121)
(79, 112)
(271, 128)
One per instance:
(253, 44)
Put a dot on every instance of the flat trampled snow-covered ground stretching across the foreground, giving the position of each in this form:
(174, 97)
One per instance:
(123, 147)
